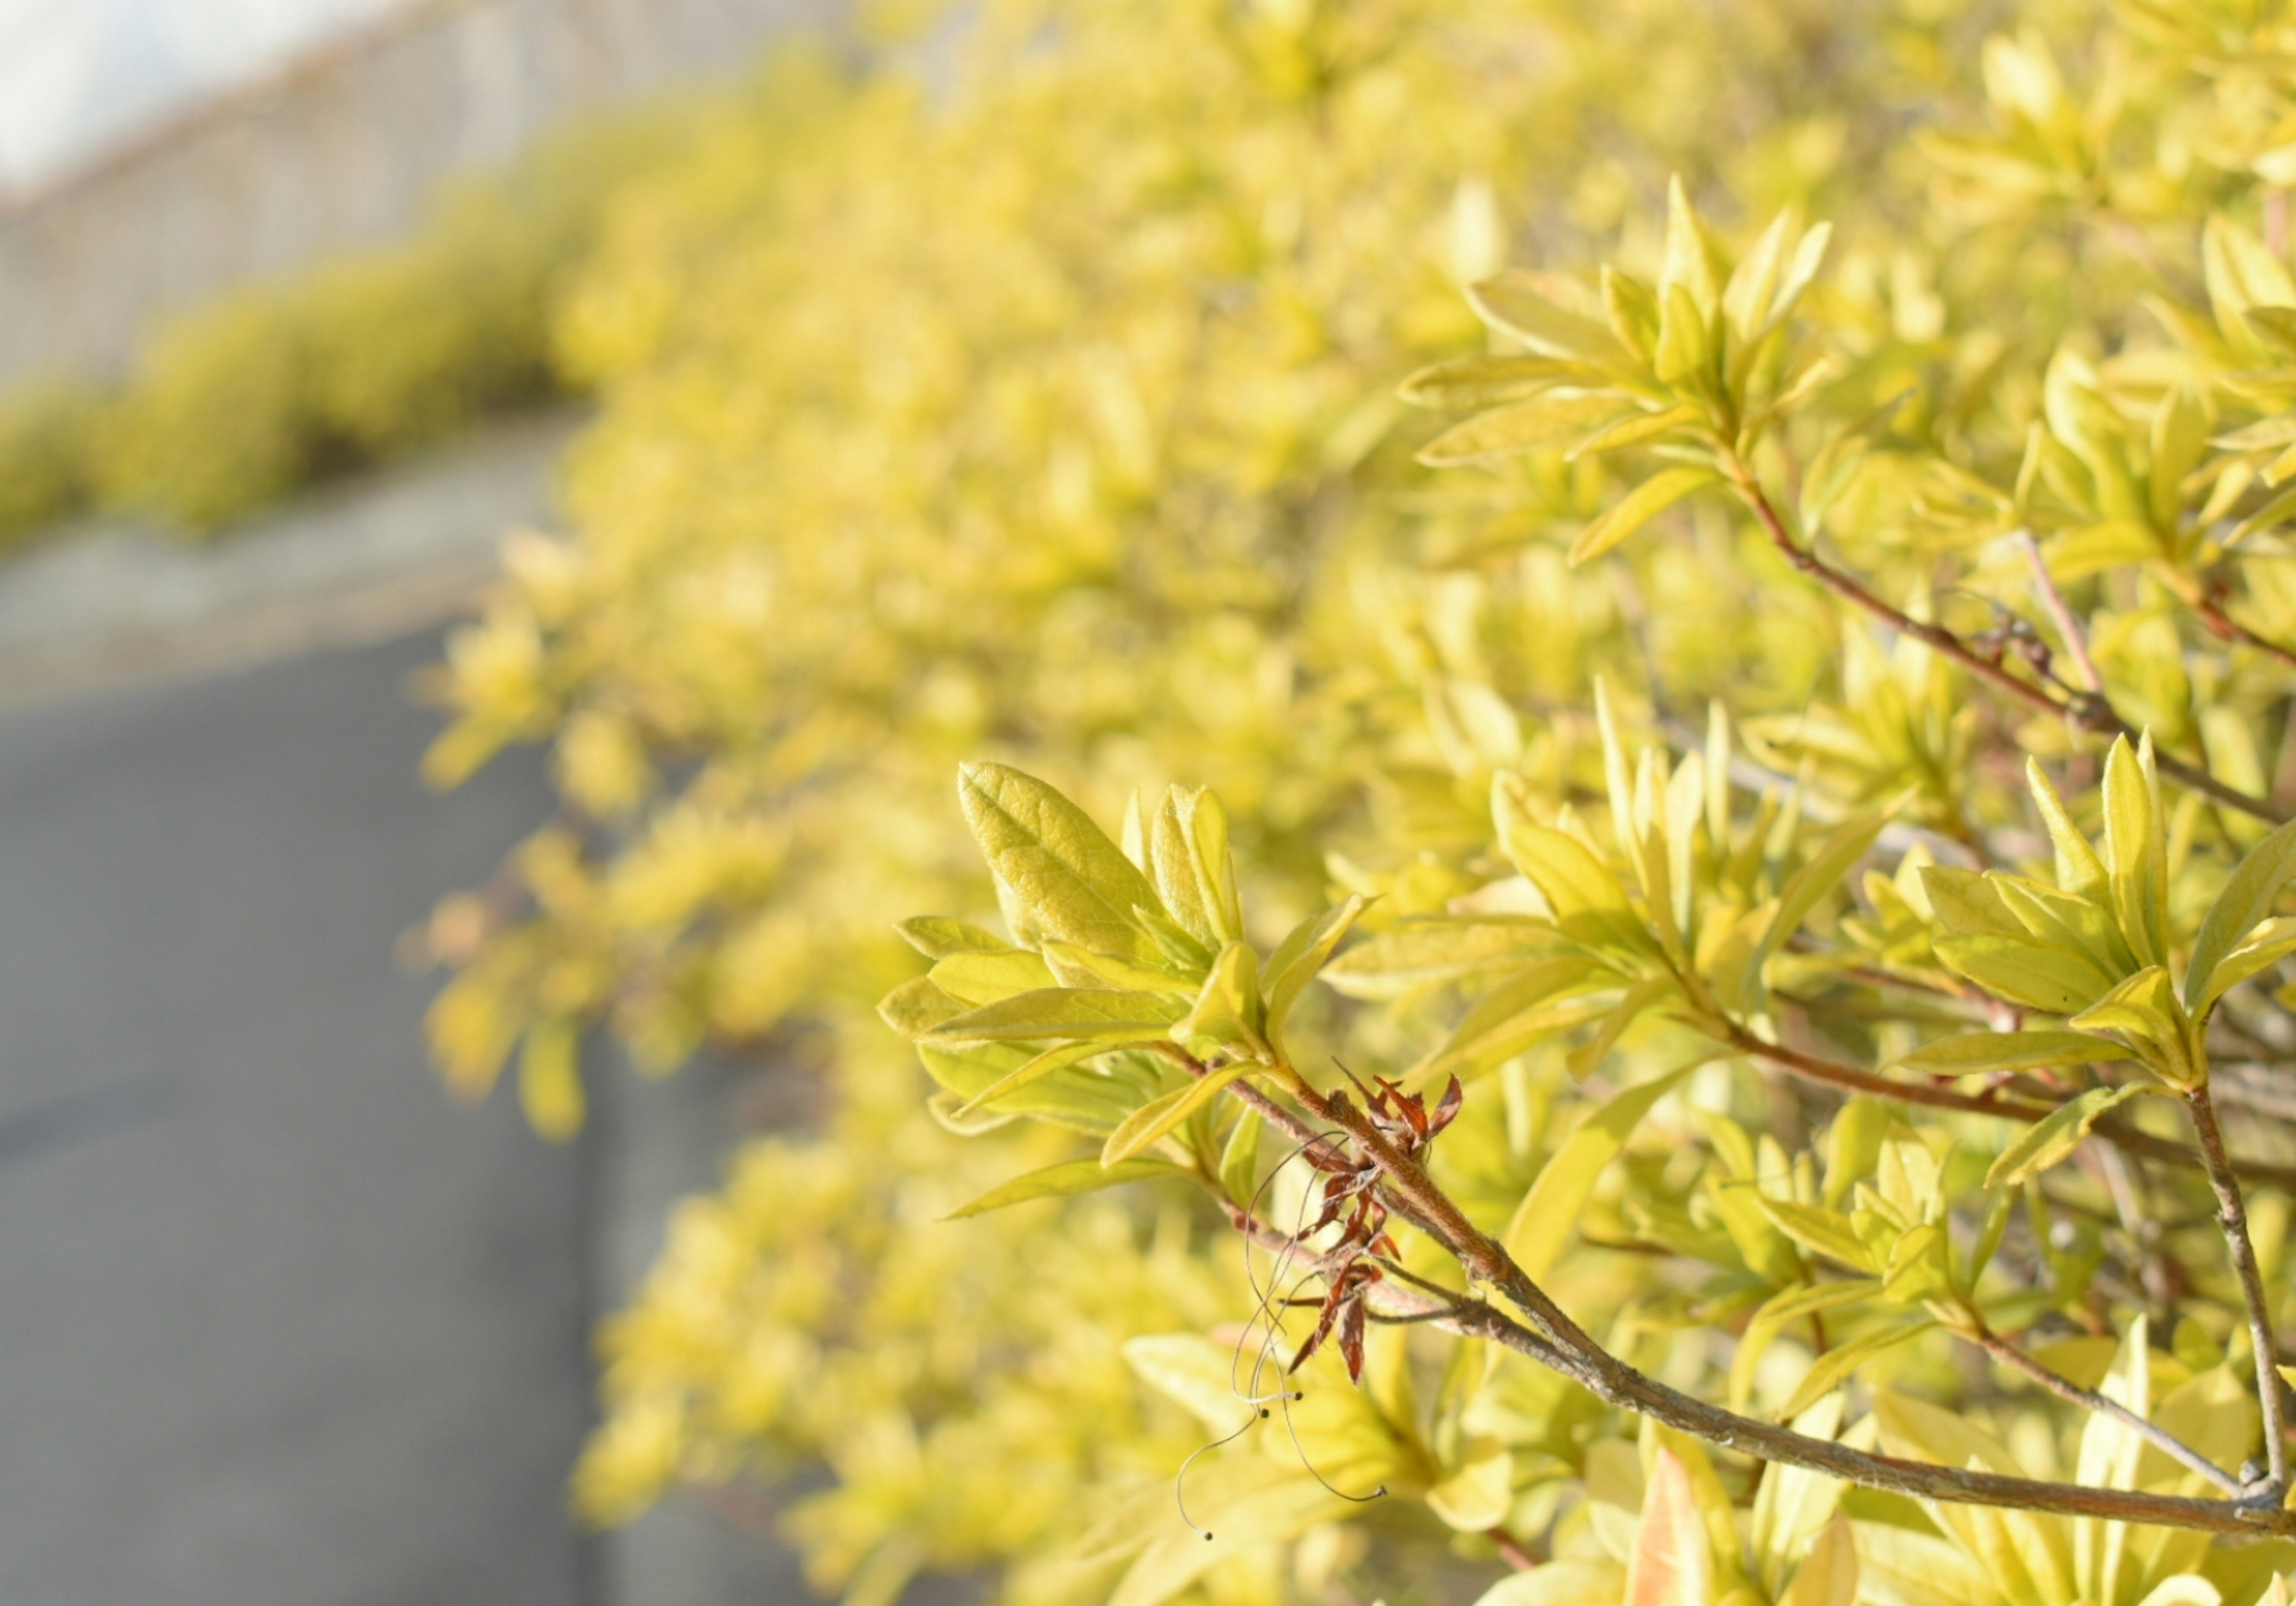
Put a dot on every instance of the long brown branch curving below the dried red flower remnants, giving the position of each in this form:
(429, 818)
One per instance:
(1565, 1348)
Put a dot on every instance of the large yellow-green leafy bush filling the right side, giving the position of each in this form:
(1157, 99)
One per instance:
(1882, 1070)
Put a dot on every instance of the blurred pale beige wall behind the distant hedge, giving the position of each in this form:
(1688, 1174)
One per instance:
(339, 148)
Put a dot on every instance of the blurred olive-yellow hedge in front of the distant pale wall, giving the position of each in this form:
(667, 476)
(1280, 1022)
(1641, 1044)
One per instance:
(362, 360)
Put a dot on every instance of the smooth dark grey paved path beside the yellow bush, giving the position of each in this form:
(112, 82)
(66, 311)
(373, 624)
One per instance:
(279, 1325)
